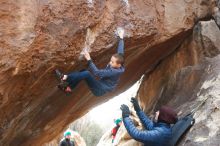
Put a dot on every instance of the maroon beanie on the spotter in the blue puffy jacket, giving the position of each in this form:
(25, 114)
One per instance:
(167, 115)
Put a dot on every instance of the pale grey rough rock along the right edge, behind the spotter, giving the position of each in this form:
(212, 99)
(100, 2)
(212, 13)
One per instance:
(206, 130)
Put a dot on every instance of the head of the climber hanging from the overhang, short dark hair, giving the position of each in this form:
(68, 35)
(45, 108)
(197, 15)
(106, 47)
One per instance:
(116, 61)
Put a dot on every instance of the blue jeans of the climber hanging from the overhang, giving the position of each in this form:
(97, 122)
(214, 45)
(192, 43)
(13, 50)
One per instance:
(95, 86)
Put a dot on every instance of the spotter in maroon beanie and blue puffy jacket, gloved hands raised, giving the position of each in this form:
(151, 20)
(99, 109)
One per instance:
(157, 133)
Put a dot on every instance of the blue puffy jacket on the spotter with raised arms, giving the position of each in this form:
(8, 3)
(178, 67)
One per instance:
(156, 134)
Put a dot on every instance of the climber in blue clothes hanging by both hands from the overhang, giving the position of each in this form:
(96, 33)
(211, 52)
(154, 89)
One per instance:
(108, 77)
